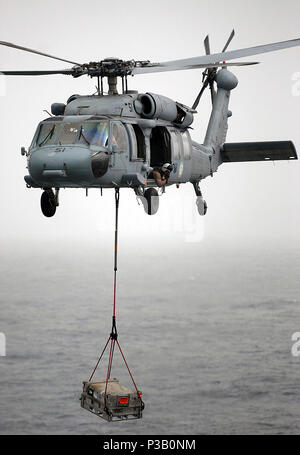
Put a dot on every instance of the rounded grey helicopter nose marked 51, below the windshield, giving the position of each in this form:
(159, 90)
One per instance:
(50, 166)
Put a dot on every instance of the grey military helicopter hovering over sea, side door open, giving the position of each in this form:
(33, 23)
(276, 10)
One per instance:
(117, 140)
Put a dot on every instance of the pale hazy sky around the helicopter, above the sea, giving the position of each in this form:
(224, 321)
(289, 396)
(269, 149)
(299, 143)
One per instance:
(245, 201)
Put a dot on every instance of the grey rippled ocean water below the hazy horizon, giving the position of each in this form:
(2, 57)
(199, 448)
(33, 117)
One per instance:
(206, 332)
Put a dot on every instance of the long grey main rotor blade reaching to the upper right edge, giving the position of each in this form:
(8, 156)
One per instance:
(204, 61)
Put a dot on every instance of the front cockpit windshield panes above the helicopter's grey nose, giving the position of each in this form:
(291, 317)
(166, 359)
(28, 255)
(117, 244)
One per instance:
(90, 133)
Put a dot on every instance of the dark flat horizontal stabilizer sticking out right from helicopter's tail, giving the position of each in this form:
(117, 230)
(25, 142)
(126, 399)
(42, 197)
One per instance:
(258, 151)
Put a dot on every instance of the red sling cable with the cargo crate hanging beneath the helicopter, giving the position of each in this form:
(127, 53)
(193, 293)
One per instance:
(108, 398)
